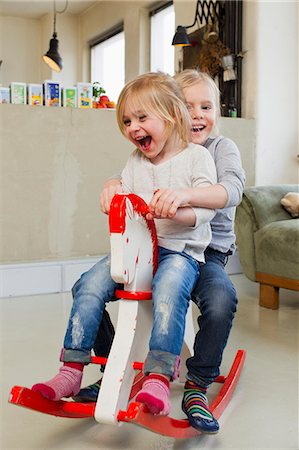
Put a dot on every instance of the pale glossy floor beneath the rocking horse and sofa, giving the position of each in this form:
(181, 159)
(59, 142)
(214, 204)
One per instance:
(263, 413)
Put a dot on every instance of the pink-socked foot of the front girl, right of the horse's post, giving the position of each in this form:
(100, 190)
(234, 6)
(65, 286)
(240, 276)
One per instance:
(155, 395)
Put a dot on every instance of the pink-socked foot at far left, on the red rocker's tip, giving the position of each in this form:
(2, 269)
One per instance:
(65, 384)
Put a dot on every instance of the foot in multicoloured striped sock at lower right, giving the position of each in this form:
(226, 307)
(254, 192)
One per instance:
(196, 407)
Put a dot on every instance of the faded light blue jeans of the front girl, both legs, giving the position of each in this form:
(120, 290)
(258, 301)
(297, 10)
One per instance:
(172, 286)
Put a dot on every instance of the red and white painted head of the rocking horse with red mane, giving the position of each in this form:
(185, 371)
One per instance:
(134, 254)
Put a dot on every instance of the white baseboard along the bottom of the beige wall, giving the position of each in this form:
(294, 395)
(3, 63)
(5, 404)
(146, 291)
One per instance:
(58, 276)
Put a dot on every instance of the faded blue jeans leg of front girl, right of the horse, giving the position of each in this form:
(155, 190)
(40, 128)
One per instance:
(173, 283)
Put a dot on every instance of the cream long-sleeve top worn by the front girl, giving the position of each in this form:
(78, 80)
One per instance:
(192, 167)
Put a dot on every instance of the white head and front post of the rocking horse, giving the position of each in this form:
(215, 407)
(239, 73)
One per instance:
(132, 252)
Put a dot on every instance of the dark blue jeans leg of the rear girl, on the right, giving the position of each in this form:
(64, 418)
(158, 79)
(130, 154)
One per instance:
(216, 298)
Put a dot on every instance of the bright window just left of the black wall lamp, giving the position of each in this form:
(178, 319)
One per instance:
(162, 31)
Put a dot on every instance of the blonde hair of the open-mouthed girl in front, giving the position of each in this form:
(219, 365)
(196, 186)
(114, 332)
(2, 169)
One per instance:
(156, 94)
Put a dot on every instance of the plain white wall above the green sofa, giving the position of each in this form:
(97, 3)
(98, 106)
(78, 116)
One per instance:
(277, 92)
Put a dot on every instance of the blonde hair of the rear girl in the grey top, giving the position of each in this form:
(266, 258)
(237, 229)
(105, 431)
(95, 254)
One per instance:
(189, 77)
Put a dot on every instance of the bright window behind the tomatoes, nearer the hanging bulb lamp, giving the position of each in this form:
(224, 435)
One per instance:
(108, 63)
